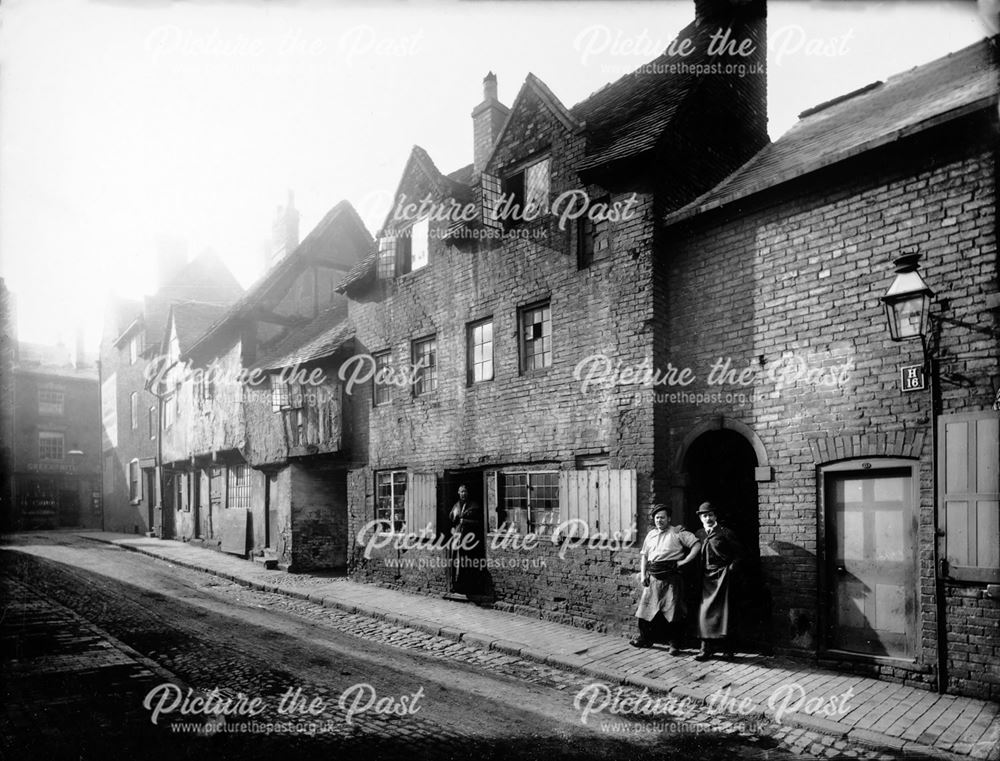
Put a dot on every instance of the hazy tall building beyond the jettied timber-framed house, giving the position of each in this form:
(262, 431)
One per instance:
(130, 413)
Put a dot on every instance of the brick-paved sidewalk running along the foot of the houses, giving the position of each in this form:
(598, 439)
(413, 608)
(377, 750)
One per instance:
(915, 722)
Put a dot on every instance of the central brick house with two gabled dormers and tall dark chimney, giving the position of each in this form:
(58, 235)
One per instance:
(498, 312)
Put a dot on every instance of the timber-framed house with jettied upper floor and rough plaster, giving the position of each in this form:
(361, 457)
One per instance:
(253, 459)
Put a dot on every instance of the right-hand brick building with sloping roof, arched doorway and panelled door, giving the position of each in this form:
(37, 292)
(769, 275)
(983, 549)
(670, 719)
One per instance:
(873, 508)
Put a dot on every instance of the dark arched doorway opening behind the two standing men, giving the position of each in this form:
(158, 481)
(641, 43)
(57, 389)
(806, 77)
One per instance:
(719, 467)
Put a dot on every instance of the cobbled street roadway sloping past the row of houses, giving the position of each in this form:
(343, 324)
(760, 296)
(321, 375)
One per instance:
(202, 632)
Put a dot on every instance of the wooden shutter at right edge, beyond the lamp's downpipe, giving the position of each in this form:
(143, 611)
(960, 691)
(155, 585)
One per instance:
(969, 494)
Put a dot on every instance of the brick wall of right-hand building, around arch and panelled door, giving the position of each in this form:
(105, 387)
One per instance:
(798, 275)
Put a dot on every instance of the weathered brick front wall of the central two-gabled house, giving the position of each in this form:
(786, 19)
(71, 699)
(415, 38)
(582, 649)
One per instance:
(525, 419)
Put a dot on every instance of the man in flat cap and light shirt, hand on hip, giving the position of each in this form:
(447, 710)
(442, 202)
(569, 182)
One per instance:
(664, 552)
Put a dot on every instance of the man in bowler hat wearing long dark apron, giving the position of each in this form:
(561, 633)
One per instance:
(720, 551)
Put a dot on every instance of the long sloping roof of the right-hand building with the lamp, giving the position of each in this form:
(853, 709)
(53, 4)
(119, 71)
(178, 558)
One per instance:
(927, 95)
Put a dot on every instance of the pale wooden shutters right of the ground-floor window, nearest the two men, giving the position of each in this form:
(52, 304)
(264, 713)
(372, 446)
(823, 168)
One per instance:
(605, 499)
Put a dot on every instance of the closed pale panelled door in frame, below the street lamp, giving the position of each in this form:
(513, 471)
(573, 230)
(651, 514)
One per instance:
(872, 562)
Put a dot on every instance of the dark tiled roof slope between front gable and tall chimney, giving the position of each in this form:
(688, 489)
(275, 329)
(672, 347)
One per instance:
(628, 116)
